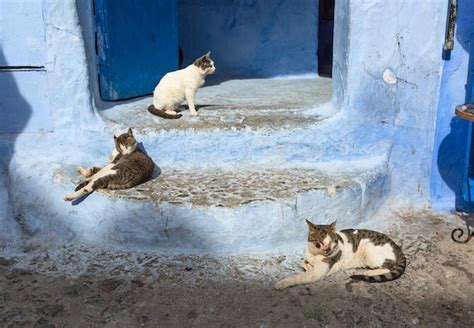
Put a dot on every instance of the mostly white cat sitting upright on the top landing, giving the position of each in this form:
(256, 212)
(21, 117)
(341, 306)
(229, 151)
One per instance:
(180, 85)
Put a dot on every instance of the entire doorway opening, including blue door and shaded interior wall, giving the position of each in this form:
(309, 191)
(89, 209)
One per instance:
(136, 45)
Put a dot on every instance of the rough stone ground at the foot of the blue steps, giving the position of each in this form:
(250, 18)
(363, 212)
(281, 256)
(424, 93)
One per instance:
(77, 286)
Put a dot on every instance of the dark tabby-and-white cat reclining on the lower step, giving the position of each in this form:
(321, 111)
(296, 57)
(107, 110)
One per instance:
(128, 167)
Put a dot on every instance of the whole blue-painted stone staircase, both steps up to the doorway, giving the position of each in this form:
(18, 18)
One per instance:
(236, 187)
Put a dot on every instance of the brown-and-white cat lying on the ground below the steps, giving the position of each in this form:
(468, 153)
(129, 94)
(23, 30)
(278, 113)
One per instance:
(328, 251)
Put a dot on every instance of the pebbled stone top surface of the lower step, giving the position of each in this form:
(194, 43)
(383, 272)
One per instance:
(227, 188)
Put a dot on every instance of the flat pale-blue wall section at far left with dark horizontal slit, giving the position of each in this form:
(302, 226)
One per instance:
(23, 44)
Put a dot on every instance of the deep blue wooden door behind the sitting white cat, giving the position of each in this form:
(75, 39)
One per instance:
(137, 43)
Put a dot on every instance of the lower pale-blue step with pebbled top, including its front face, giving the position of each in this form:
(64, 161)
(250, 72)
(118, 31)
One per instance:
(220, 210)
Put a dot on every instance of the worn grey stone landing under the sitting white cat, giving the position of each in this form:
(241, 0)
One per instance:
(235, 104)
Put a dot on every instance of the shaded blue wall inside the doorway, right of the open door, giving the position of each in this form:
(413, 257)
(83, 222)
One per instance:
(250, 38)
